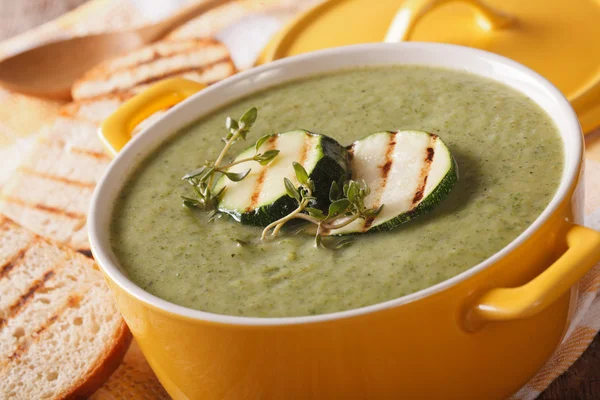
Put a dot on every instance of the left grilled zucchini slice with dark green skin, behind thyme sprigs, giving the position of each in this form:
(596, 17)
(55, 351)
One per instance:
(261, 198)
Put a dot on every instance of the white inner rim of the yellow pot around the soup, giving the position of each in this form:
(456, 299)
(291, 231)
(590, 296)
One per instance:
(442, 55)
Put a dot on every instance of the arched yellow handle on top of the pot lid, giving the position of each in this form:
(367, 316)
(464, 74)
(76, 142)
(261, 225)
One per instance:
(411, 12)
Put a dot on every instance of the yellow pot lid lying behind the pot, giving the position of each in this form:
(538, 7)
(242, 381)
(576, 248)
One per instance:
(557, 38)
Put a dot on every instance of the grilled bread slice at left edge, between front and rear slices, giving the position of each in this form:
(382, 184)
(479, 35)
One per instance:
(50, 192)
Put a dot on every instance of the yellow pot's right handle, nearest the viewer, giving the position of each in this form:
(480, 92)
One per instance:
(521, 302)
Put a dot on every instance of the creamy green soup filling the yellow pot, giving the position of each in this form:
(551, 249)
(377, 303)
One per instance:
(509, 156)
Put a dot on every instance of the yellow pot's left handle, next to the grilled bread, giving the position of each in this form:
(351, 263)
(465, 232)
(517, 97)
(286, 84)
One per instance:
(116, 130)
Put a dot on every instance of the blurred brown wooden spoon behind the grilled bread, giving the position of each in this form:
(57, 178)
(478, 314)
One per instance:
(51, 69)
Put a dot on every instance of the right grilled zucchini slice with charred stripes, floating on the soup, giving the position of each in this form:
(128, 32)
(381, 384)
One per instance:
(409, 172)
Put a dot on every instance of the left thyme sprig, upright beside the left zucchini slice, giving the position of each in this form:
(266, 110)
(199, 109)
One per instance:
(202, 179)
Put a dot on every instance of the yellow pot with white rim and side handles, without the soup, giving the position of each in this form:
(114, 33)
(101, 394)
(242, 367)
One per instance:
(480, 335)
